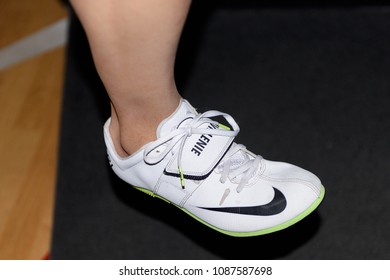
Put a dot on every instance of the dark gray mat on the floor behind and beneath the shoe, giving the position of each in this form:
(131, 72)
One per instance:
(307, 85)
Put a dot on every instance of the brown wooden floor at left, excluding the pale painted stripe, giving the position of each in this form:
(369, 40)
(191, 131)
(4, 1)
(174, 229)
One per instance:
(30, 98)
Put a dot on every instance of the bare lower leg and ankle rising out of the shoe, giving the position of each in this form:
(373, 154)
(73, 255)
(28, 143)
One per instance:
(134, 46)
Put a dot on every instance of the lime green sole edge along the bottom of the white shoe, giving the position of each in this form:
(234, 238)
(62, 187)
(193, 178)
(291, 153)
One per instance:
(249, 233)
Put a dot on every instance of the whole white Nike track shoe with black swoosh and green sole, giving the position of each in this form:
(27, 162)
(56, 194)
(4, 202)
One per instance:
(196, 165)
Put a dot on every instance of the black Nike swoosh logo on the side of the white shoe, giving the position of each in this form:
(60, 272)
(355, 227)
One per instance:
(274, 207)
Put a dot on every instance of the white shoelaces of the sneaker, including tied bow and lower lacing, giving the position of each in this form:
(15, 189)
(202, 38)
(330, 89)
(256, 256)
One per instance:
(246, 169)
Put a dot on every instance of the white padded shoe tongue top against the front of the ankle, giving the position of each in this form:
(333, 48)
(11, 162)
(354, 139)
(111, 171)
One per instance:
(183, 112)
